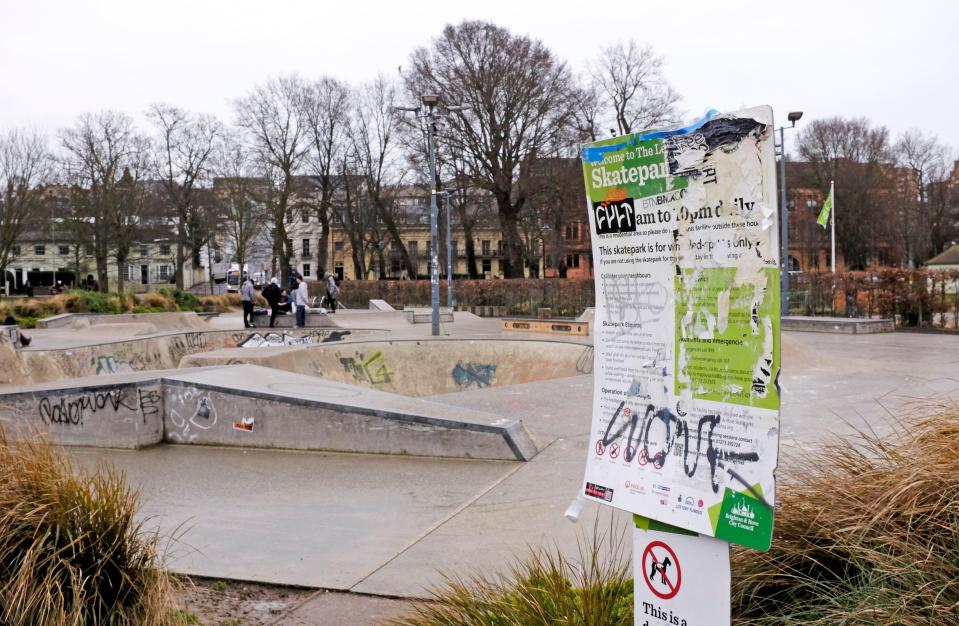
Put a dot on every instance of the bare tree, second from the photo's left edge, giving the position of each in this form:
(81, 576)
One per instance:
(104, 158)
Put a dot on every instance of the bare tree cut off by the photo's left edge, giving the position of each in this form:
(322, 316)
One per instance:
(25, 170)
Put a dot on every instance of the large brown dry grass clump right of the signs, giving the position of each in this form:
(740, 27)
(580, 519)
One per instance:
(867, 532)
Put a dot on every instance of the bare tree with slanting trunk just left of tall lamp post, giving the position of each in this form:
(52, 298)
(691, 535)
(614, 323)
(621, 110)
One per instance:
(373, 156)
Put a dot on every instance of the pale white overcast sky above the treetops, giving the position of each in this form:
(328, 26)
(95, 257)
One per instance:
(893, 62)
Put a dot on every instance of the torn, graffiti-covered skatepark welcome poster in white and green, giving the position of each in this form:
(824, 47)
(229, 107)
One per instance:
(685, 426)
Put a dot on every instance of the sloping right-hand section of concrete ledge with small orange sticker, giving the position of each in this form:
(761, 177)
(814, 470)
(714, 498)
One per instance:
(283, 410)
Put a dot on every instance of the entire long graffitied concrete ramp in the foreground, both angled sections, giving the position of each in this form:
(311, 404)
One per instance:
(254, 407)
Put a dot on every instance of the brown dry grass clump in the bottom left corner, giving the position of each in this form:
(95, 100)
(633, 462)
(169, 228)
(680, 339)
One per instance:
(71, 550)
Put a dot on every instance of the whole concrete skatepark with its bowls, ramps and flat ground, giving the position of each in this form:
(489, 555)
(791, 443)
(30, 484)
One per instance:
(368, 457)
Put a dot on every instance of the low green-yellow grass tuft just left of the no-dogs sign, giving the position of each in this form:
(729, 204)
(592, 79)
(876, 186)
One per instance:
(544, 588)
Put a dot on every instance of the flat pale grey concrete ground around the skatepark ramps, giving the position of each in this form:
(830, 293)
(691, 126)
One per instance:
(384, 527)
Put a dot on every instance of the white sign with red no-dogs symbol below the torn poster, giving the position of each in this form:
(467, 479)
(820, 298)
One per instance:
(685, 578)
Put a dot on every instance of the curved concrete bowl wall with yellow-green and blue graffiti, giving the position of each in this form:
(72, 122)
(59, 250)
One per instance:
(419, 368)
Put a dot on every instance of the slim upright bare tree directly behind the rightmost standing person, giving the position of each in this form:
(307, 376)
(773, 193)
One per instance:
(326, 108)
